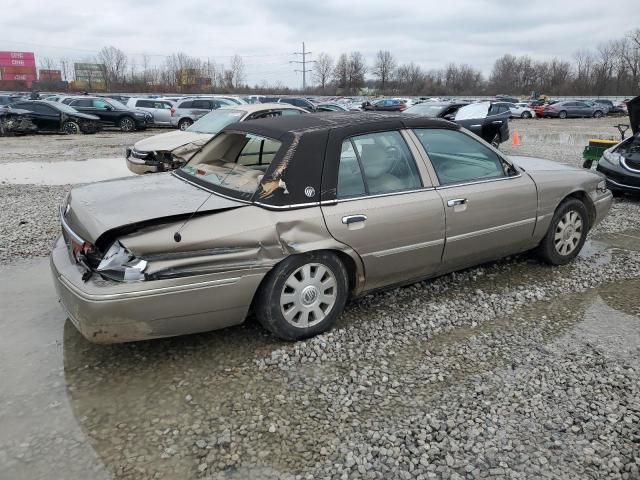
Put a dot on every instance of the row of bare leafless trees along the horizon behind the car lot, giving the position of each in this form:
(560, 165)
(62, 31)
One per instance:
(613, 68)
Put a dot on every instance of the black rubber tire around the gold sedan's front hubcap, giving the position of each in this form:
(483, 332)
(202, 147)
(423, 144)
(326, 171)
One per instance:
(547, 250)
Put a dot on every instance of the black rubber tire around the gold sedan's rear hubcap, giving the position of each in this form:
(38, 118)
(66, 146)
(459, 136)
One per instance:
(268, 299)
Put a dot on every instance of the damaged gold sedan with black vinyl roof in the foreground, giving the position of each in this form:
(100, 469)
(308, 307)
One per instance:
(291, 216)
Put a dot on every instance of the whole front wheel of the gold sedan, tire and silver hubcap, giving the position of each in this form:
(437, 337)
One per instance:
(567, 233)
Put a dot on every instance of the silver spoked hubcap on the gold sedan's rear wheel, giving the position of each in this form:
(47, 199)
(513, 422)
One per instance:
(308, 295)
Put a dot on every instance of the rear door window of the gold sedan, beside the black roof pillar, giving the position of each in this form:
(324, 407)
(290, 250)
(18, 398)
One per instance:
(383, 164)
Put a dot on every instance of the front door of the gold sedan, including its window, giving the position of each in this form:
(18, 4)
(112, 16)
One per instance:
(490, 206)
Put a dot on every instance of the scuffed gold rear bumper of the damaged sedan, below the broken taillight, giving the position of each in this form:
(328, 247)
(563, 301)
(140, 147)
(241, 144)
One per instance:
(110, 312)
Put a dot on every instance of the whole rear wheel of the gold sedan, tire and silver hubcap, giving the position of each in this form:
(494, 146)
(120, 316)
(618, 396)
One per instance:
(303, 295)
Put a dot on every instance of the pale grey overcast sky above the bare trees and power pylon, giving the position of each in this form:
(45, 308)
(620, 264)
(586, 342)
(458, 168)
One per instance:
(267, 32)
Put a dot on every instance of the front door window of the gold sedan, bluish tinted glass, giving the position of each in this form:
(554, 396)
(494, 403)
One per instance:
(459, 158)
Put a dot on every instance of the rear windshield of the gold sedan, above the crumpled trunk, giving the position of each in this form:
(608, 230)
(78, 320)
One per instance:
(235, 162)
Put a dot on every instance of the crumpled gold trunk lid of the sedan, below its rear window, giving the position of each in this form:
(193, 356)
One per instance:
(95, 209)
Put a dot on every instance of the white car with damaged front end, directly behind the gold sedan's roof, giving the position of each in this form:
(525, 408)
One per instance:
(168, 151)
